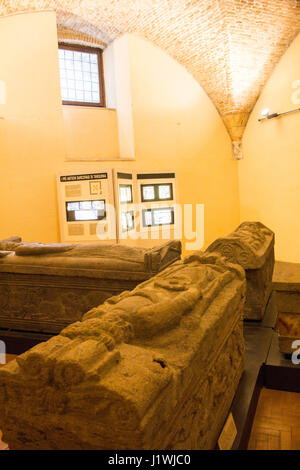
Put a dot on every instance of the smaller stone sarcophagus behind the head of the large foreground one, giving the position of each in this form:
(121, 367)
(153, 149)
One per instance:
(252, 246)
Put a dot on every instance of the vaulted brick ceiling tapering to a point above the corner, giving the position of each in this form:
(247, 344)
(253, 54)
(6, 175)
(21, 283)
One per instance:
(229, 46)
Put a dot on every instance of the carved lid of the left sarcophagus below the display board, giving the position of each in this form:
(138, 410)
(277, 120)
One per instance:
(87, 260)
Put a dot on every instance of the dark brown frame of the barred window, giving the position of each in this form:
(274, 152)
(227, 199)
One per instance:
(99, 52)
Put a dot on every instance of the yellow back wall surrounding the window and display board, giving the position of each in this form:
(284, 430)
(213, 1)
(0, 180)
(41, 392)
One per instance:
(174, 126)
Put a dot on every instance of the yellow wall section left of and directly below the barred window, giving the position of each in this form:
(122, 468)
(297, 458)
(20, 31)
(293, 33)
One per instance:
(37, 134)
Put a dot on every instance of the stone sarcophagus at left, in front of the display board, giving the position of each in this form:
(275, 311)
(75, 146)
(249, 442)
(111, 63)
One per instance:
(43, 288)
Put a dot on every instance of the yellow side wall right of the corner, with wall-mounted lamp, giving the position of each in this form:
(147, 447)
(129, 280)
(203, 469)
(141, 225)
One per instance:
(269, 174)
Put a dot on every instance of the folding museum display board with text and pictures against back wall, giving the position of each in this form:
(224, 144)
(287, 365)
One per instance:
(110, 204)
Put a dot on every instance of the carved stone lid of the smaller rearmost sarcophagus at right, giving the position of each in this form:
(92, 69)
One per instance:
(249, 245)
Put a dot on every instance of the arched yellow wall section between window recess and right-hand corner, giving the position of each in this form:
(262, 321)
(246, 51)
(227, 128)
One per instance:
(176, 126)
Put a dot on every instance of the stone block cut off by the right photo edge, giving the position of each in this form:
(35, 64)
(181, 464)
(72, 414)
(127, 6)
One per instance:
(286, 284)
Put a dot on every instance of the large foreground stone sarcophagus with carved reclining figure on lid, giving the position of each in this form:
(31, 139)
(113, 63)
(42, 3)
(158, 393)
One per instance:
(155, 368)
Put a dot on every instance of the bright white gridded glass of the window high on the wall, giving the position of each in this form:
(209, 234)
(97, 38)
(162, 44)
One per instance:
(79, 76)
